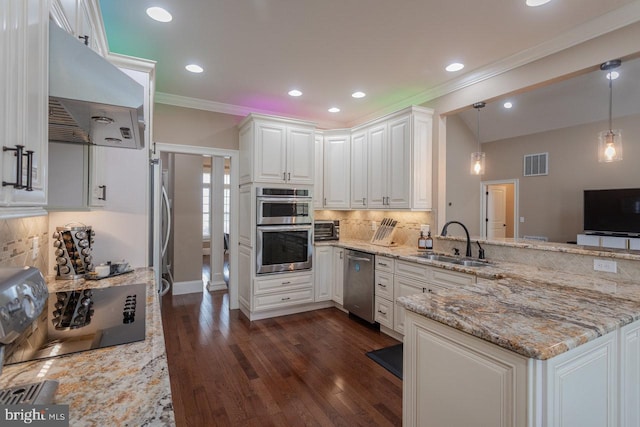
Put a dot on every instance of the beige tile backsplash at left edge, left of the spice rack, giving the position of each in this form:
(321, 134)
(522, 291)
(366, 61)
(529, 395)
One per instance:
(16, 242)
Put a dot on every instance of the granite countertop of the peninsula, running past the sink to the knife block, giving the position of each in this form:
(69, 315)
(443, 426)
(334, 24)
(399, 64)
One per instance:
(536, 312)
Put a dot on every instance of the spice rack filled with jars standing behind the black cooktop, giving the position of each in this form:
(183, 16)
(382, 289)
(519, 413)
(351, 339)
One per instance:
(73, 246)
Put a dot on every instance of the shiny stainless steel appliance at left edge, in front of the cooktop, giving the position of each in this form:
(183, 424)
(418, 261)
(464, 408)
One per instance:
(23, 295)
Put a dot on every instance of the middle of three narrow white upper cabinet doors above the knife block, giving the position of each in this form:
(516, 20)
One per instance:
(377, 166)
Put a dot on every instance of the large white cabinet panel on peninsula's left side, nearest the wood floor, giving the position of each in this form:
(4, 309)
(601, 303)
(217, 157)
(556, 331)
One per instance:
(453, 379)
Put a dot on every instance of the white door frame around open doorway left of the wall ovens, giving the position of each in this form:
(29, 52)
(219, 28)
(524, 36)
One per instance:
(234, 155)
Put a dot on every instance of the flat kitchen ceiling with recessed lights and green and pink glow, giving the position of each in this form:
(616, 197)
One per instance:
(255, 51)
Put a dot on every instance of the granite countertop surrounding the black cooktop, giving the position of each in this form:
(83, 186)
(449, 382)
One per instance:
(122, 385)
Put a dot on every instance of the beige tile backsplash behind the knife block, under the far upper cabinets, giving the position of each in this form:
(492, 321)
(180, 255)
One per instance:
(357, 224)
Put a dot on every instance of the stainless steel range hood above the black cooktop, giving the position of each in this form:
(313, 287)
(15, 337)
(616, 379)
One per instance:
(90, 100)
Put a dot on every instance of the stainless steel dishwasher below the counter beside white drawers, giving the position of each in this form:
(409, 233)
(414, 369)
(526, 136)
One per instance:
(359, 284)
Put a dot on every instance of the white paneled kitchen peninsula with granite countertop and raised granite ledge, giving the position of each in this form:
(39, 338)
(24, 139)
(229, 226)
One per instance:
(524, 344)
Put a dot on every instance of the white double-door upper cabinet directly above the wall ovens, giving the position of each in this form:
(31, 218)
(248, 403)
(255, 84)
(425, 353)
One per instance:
(276, 150)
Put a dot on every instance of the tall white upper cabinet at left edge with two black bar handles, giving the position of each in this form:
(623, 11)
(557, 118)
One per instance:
(24, 84)
